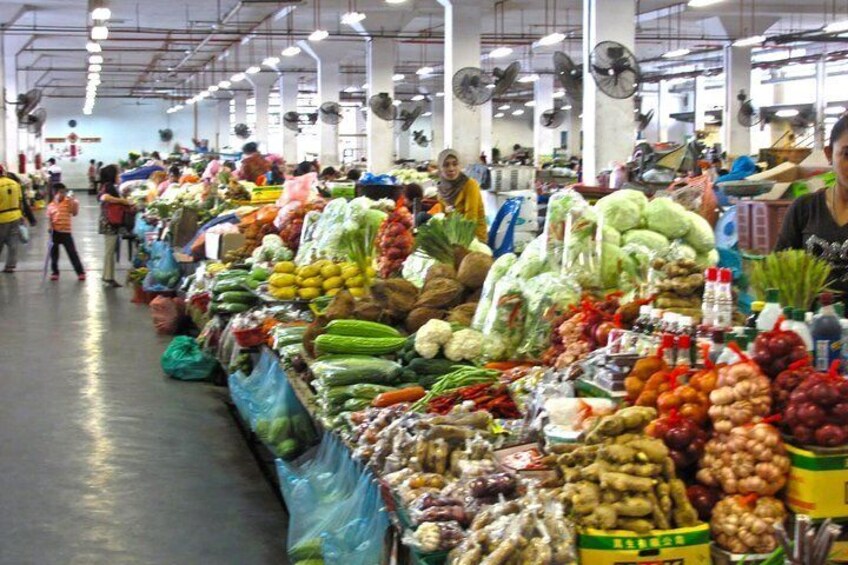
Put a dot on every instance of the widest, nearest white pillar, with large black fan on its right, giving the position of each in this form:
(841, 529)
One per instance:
(608, 123)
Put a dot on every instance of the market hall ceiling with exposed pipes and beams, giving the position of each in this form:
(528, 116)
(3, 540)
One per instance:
(174, 48)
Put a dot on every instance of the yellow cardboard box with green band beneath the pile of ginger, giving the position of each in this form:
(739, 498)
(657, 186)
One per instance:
(682, 546)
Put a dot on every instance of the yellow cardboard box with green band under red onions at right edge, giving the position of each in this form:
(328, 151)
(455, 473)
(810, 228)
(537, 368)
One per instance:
(818, 482)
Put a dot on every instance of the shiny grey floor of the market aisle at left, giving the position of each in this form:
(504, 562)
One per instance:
(102, 458)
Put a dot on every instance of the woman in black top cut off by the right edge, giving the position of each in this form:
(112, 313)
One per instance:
(818, 222)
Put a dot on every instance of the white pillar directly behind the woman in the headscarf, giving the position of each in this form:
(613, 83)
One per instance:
(462, 49)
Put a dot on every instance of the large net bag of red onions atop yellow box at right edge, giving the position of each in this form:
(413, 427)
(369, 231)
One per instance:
(817, 410)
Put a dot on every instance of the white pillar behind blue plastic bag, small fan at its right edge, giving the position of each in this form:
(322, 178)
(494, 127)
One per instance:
(737, 71)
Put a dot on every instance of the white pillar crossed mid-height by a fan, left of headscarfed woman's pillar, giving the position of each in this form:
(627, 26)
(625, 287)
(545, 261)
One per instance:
(379, 69)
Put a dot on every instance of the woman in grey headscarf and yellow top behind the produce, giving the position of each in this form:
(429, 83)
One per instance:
(459, 194)
